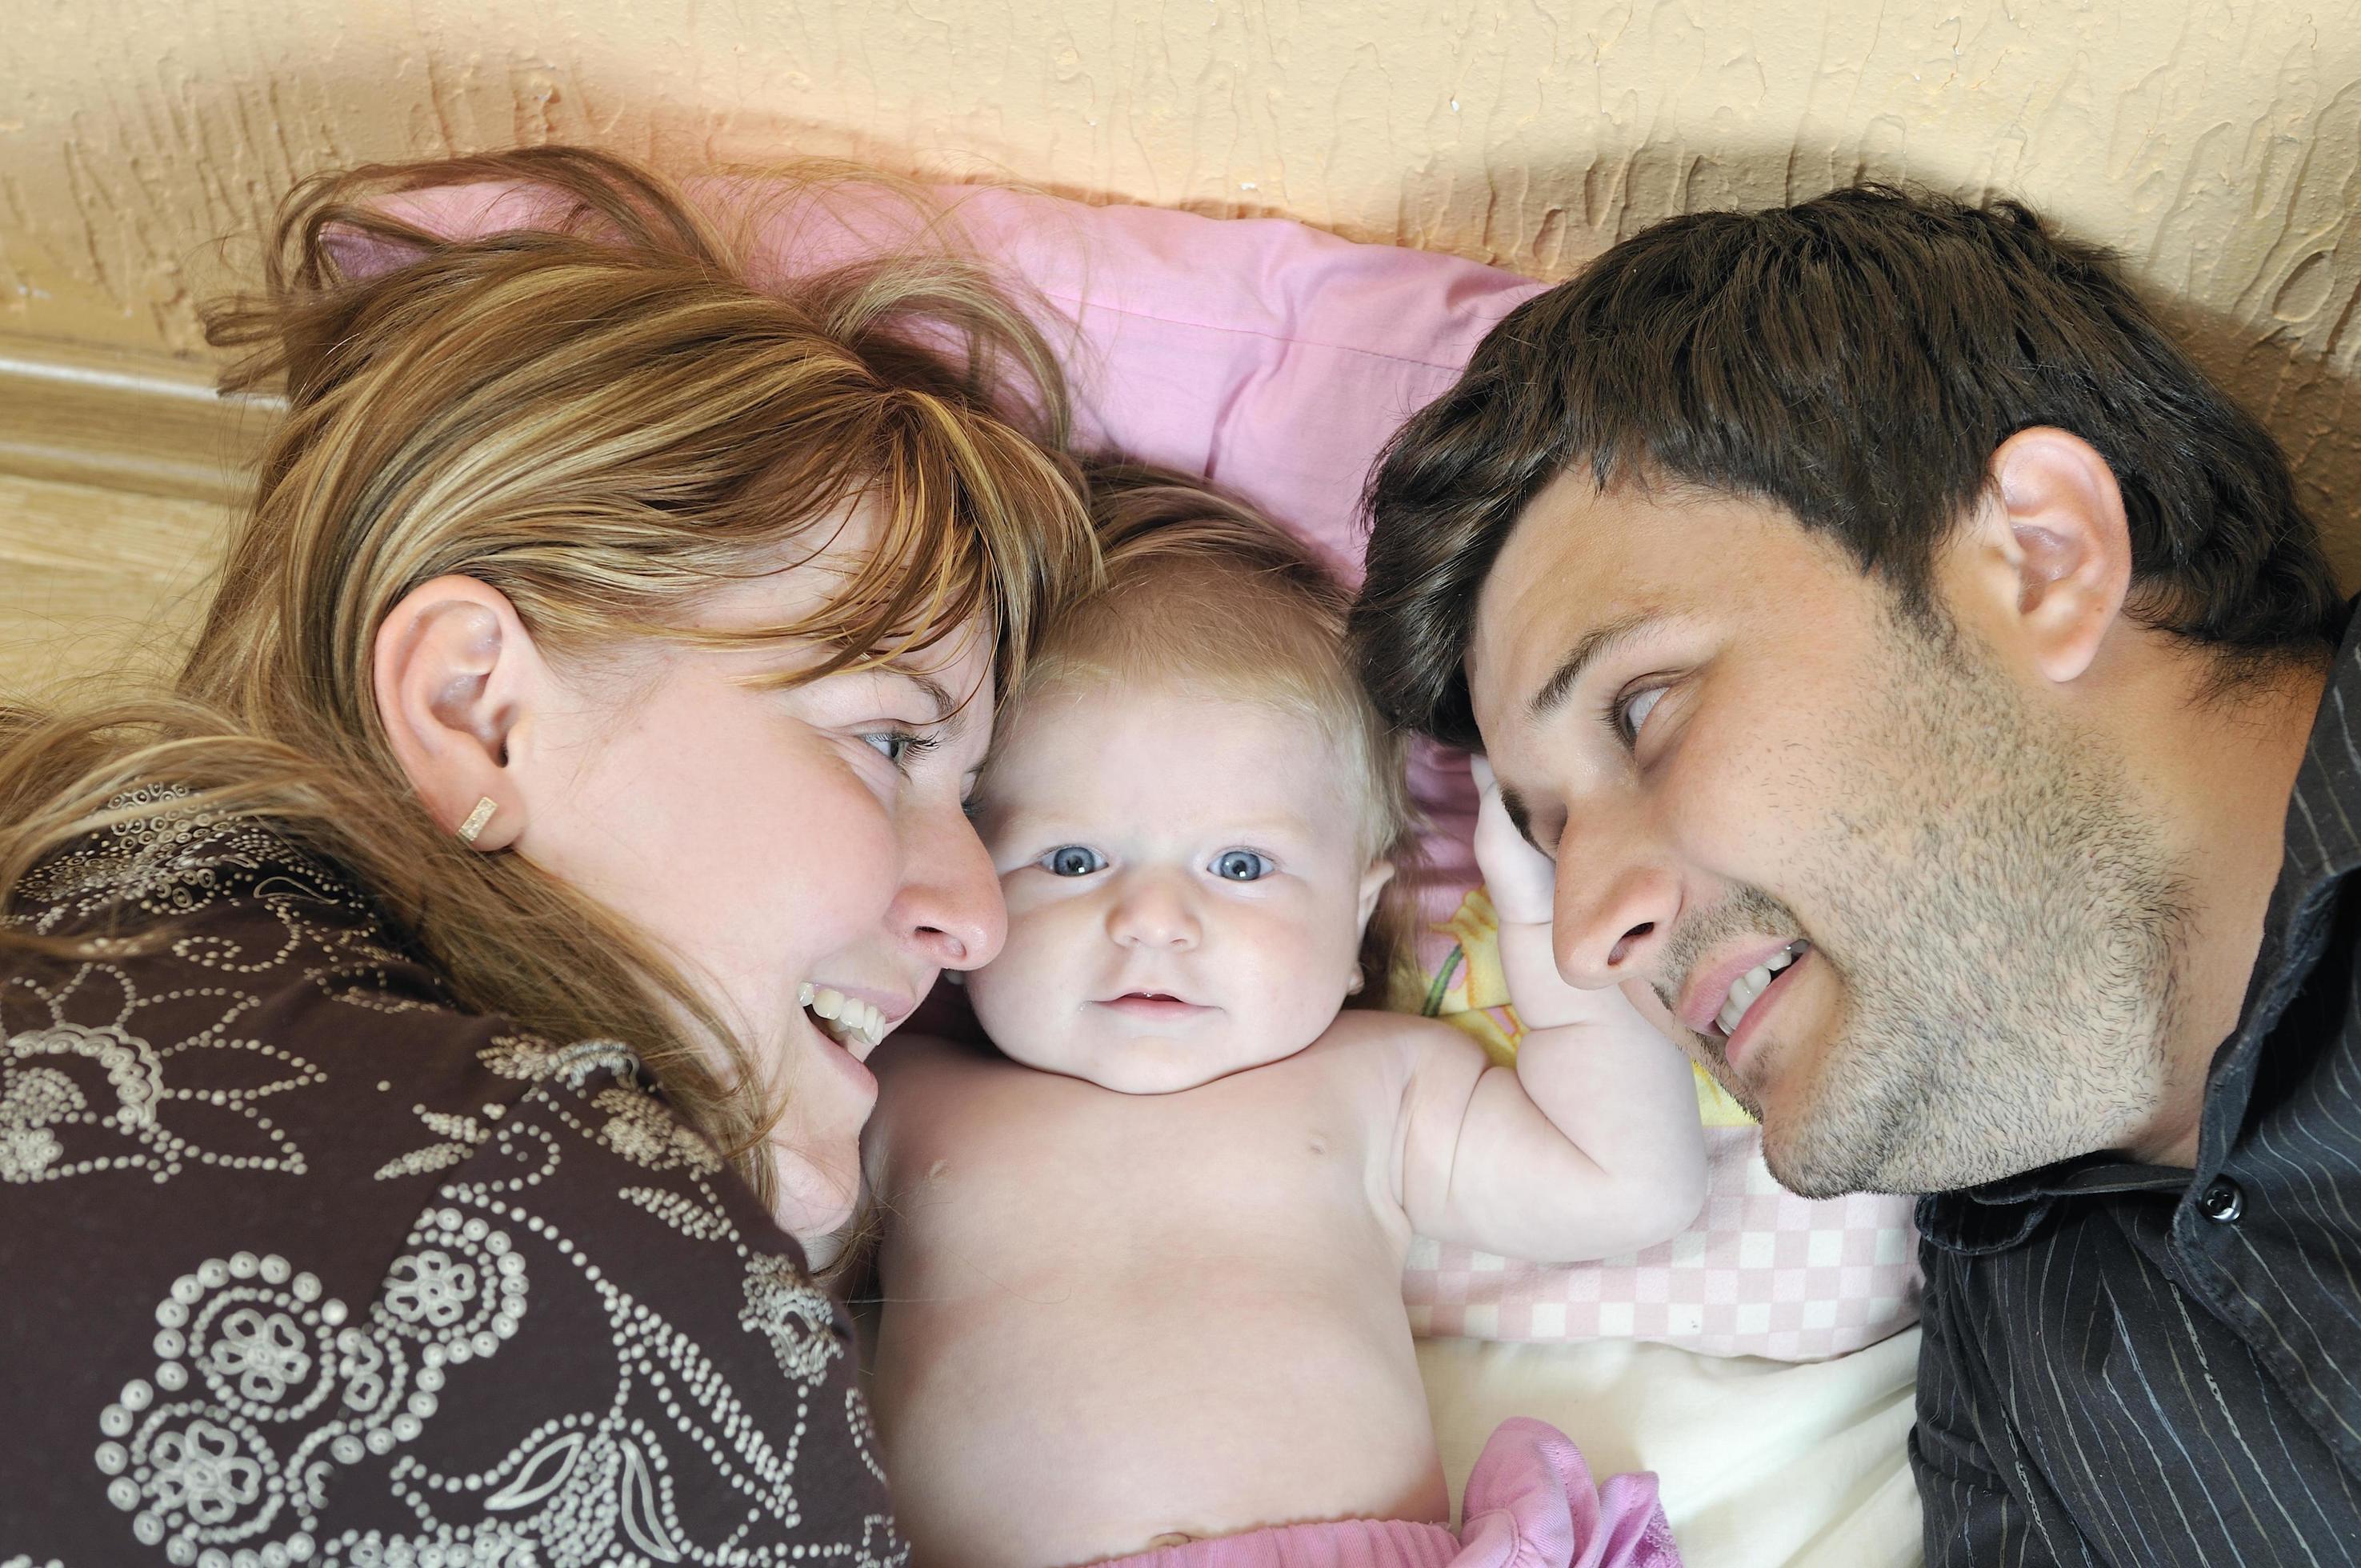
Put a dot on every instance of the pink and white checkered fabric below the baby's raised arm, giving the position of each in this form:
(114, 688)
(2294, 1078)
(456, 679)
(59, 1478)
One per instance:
(1760, 1274)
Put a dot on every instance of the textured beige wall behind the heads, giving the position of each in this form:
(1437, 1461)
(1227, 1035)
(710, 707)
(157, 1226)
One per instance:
(2218, 143)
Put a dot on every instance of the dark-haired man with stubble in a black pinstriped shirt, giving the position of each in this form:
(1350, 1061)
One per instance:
(1932, 695)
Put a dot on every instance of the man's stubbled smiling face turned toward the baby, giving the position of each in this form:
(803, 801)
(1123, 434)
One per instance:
(1895, 903)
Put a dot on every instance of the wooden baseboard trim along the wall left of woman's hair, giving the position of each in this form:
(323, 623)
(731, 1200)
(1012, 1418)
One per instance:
(126, 422)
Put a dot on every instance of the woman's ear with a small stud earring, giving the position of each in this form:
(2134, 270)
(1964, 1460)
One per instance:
(454, 672)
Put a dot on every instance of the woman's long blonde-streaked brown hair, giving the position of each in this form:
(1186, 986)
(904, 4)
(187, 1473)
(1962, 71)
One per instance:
(603, 419)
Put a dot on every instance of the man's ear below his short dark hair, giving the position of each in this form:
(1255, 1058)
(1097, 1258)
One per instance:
(2048, 549)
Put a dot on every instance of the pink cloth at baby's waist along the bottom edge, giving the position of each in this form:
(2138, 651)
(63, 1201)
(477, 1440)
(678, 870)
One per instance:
(1529, 1505)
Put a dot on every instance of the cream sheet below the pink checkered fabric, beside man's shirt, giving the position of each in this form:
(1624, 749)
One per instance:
(1762, 1463)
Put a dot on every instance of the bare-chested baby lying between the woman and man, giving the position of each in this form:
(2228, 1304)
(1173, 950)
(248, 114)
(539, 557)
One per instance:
(1142, 1269)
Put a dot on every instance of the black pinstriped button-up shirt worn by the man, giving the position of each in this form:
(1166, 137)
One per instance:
(2143, 1366)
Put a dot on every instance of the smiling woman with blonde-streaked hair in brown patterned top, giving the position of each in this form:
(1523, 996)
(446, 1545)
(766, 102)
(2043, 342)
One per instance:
(561, 799)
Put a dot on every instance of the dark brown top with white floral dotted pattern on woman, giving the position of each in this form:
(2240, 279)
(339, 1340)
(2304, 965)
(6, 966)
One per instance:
(301, 1265)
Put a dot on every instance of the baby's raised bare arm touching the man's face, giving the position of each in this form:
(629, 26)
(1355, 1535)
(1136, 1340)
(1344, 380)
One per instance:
(1590, 1146)
